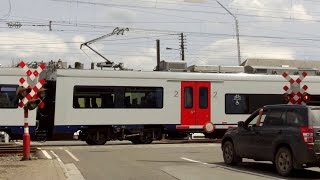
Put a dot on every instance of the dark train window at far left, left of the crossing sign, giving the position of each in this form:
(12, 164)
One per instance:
(8, 96)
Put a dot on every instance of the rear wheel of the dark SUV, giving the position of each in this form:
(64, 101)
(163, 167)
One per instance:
(284, 161)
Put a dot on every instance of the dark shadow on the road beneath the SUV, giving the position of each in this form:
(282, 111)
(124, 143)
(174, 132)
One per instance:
(269, 169)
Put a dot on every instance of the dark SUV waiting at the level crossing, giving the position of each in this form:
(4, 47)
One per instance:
(287, 135)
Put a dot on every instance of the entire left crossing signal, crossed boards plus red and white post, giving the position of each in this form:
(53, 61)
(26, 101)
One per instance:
(29, 100)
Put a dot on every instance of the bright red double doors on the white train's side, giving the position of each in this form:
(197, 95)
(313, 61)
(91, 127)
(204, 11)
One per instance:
(195, 103)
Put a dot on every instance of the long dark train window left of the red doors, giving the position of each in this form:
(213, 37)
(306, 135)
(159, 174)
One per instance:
(117, 97)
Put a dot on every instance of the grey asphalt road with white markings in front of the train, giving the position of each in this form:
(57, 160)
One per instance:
(122, 160)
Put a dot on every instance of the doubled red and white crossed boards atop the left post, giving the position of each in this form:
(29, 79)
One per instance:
(32, 74)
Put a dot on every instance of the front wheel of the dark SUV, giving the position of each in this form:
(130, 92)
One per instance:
(229, 155)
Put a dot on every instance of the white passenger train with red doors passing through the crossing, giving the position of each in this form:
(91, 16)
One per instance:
(140, 106)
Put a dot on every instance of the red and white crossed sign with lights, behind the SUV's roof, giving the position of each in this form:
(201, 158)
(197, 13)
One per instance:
(295, 92)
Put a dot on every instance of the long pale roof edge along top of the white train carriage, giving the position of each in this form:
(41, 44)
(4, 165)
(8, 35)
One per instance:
(175, 75)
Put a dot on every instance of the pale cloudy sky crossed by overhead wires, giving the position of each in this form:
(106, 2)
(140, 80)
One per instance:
(281, 29)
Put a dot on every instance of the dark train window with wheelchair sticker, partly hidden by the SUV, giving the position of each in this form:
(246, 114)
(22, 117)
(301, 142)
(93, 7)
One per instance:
(248, 103)
